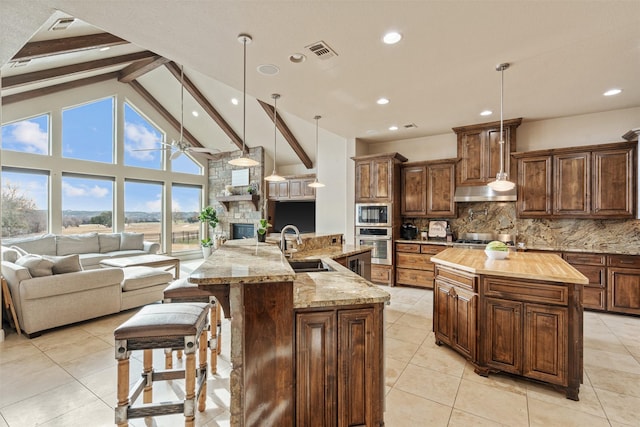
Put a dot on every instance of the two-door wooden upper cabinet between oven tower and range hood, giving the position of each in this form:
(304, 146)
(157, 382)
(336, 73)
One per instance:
(428, 189)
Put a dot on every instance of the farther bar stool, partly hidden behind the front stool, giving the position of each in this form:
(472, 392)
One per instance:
(184, 291)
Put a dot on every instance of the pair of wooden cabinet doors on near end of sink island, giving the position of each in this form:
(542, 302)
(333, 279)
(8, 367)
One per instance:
(339, 367)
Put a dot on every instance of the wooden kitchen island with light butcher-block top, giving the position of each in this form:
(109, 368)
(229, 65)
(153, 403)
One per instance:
(521, 315)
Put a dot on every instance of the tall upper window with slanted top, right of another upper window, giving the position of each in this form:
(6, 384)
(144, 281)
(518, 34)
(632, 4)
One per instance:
(142, 141)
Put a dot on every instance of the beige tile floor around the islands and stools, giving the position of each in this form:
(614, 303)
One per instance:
(66, 377)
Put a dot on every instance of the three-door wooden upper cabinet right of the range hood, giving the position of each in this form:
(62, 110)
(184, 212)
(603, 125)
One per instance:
(580, 182)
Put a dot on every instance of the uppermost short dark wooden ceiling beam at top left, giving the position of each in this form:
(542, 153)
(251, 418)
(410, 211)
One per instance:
(66, 45)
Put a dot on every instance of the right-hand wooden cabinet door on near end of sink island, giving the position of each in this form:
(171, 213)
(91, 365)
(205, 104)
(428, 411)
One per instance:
(360, 375)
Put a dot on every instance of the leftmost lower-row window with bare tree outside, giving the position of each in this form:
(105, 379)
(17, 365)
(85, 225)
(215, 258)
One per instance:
(25, 201)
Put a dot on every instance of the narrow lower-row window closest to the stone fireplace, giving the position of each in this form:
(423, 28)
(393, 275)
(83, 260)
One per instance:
(186, 203)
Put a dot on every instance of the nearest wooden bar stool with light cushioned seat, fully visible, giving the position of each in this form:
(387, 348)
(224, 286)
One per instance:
(180, 325)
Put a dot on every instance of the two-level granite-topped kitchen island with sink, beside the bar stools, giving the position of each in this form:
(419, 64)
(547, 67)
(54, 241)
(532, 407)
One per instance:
(304, 346)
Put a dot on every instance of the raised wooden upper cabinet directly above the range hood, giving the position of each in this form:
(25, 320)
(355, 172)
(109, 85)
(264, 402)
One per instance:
(479, 151)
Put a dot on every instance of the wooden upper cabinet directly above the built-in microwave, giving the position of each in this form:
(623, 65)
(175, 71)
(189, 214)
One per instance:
(377, 177)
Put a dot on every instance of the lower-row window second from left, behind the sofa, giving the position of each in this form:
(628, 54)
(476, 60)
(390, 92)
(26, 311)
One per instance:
(87, 204)
